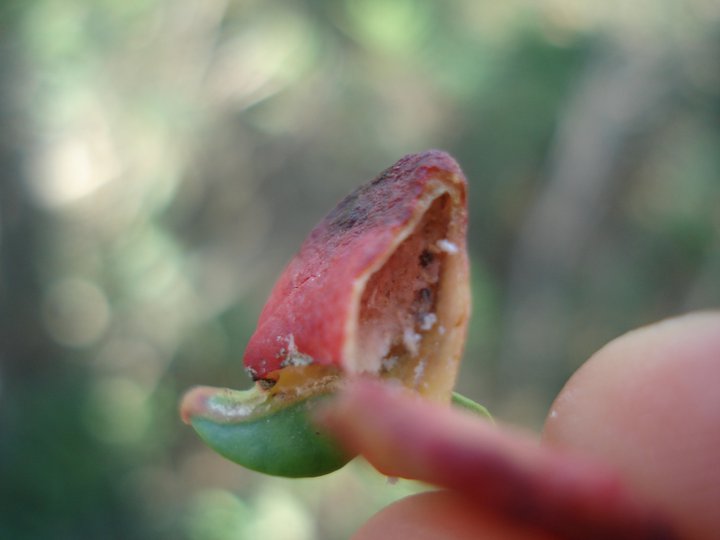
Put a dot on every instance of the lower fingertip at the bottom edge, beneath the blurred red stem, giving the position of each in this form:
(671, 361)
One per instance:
(440, 514)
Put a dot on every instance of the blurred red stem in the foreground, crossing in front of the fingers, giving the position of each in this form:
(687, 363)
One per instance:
(501, 471)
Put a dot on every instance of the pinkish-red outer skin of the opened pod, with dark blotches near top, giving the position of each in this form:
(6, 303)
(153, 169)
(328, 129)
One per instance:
(311, 300)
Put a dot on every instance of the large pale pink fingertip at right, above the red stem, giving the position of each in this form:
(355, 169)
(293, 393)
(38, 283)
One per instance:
(649, 404)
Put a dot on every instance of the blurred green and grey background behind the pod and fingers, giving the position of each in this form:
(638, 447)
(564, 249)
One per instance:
(161, 160)
